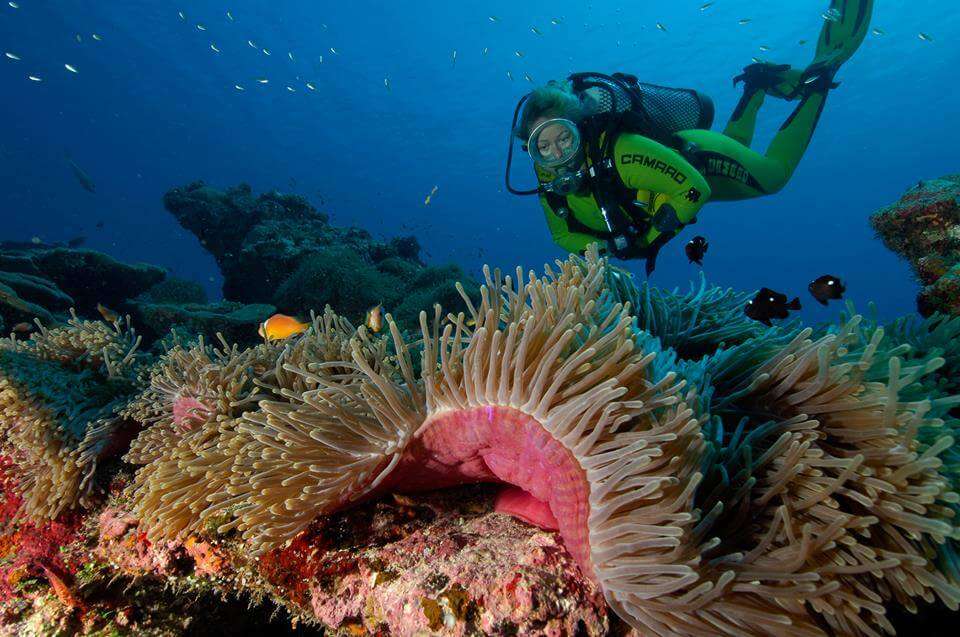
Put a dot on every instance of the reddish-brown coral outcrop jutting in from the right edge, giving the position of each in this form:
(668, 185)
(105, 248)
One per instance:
(924, 228)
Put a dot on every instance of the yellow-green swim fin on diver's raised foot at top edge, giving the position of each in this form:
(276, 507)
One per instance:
(845, 25)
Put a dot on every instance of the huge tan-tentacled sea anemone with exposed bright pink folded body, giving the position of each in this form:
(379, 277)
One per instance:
(784, 481)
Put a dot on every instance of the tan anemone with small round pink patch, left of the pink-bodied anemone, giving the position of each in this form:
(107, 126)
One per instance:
(194, 397)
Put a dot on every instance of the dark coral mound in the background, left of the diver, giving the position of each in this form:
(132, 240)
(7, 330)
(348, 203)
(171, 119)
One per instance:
(275, 248)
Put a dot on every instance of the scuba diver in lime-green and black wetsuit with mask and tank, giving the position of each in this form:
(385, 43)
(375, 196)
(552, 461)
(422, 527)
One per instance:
(628, 164)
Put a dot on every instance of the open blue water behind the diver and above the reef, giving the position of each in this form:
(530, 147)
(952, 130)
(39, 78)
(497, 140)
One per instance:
(153, 107)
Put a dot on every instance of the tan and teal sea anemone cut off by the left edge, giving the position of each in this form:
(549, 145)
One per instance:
(61, 393)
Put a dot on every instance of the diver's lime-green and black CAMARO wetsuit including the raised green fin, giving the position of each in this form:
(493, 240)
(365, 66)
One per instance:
(718, 166)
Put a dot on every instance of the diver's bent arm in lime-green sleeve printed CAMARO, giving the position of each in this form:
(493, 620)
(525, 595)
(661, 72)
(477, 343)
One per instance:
(645, 164)
